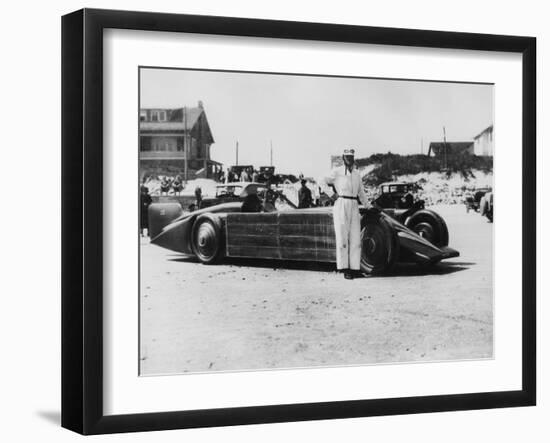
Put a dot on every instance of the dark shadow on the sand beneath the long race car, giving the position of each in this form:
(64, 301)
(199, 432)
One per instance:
(400, 270)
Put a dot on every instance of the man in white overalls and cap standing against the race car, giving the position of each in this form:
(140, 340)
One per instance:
(346, 182)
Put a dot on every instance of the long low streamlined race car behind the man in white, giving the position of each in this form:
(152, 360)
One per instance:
(294, 234)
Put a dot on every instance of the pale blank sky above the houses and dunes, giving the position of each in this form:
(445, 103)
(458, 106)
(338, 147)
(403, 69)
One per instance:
(310, 118)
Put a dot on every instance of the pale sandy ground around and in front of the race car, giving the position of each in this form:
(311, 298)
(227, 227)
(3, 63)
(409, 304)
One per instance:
(250, 314)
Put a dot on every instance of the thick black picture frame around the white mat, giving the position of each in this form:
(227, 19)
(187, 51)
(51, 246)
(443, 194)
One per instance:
(82, 232)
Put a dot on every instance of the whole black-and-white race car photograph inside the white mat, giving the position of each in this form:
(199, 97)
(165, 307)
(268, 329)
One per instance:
(305, 221)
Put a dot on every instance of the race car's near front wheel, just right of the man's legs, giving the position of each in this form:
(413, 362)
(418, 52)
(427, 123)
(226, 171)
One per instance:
(379, 246)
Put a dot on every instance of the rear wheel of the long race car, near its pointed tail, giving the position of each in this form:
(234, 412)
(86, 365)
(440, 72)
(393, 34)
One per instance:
(206, 240)
